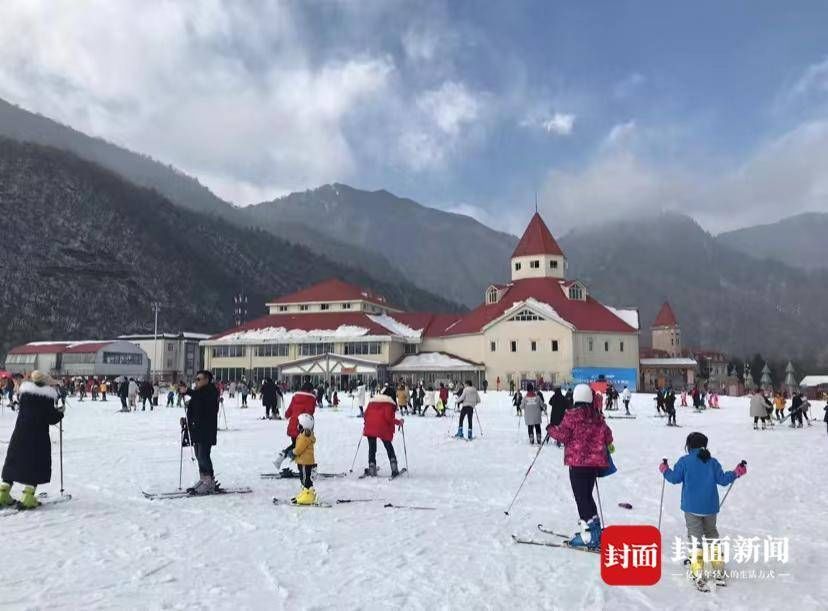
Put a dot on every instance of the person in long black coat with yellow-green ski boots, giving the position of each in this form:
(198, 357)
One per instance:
(29, 456)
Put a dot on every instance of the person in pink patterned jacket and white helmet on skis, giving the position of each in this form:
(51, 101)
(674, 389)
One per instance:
(587, 441)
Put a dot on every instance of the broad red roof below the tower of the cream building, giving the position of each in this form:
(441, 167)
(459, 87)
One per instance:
(588, 315)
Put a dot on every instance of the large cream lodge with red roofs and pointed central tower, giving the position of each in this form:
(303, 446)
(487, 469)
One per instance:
(541, 326)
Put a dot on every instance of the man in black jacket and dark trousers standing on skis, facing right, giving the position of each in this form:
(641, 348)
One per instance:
(202, 420)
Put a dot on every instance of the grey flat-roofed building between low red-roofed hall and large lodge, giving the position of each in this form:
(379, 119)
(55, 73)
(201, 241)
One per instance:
(178, 354)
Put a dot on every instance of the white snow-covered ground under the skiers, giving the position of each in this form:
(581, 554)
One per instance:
(111, 548)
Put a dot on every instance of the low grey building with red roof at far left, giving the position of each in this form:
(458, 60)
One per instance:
(108, 358)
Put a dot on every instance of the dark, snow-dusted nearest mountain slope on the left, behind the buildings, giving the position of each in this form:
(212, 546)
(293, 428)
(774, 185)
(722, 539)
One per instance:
(84, 253)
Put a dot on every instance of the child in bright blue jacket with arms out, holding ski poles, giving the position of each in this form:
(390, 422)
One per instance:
(699, 473)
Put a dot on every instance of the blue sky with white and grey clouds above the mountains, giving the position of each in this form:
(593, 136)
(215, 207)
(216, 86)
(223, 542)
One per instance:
(604, 109)
